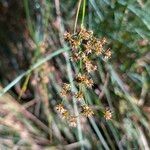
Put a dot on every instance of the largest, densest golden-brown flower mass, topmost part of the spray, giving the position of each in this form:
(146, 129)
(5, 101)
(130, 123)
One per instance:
(85, 46)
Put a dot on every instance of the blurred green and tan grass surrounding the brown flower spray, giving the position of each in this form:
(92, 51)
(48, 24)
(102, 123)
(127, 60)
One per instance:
(34, 62)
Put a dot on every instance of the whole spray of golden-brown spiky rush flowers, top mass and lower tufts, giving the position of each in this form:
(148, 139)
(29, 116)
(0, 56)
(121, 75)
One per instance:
(85, 49)
